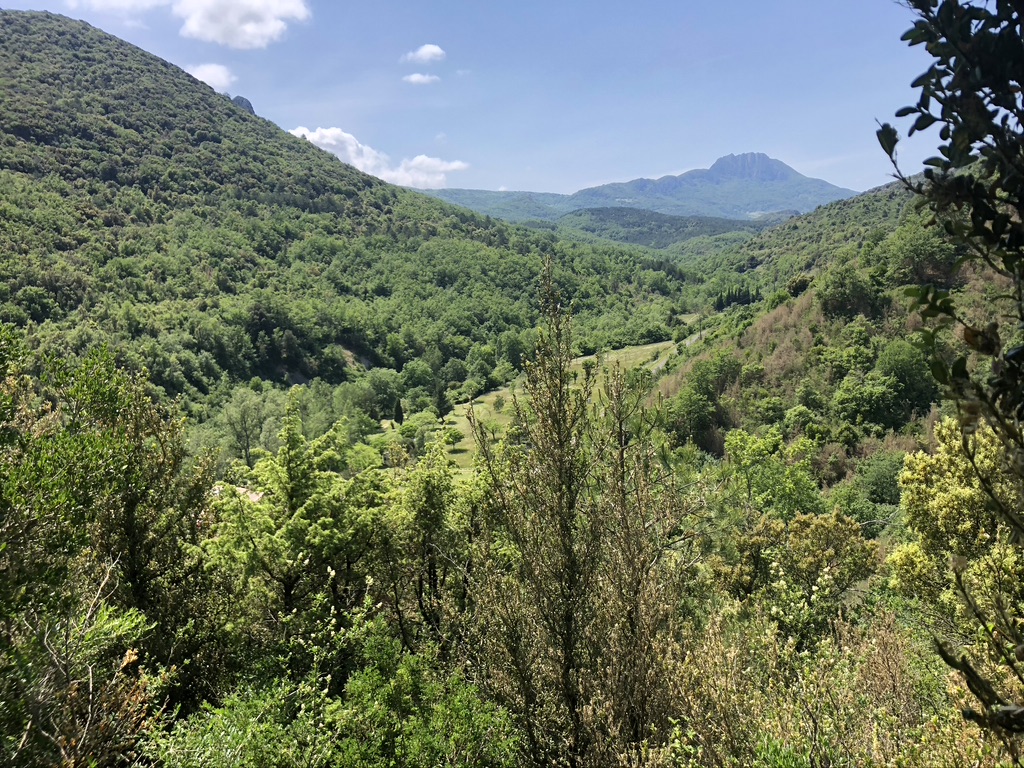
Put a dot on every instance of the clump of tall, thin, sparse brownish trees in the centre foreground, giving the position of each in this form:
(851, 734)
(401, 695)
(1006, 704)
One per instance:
(575, 605)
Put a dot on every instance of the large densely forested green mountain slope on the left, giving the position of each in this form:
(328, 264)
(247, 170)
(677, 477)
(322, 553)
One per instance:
(143, 211)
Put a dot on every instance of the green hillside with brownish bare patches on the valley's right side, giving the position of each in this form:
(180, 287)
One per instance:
(827, 354)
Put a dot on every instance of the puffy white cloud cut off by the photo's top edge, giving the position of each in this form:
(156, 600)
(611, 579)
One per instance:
(239, 24)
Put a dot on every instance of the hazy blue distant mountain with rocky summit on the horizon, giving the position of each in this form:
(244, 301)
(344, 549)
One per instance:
(738, 187)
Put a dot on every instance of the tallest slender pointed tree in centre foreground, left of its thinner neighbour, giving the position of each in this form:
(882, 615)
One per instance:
(544, 501)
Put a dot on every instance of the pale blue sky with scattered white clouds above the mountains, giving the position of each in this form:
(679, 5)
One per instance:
(550, 97)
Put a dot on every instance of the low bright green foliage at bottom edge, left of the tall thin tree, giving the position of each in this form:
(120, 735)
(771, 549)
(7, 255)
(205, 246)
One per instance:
(397, 711)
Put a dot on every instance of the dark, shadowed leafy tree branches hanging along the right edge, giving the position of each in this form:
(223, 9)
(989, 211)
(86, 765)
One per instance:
(975, 190)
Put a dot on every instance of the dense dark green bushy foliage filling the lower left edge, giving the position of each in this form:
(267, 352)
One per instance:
(103, 587)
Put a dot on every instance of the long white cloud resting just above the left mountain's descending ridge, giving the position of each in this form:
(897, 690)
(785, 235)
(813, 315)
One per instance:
(422, 173)
